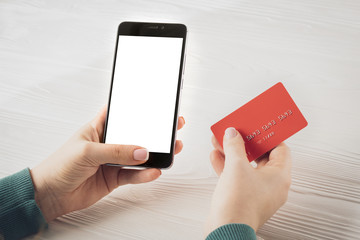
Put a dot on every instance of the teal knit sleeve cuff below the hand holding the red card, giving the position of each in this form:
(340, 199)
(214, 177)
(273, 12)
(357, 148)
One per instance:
(233, 231)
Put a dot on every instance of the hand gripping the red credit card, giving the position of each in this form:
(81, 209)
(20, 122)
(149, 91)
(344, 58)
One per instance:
(245, 194)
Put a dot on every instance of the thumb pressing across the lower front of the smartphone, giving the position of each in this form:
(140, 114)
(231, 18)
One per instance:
(99, 153)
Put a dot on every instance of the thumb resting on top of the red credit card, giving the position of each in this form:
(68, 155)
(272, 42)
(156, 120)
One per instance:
(234, 148)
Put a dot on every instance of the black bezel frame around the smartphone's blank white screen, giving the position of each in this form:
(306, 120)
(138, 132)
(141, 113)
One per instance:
(156, 160)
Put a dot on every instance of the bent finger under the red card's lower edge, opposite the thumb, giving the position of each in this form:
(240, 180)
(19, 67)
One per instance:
(280, 157)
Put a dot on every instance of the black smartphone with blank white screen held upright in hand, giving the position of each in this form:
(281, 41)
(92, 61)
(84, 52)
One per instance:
(145, 89)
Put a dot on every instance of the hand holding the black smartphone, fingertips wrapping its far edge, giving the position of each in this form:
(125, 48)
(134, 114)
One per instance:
(74, 177)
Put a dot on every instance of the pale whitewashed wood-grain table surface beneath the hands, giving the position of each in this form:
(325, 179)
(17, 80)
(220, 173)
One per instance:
(55, 69)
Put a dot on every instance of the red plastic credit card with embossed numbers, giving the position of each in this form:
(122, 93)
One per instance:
(264, 122)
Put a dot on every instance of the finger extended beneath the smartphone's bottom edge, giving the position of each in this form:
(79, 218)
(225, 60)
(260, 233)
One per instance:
(132, 176)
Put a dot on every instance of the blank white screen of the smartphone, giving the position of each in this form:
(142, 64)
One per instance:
(144, 92)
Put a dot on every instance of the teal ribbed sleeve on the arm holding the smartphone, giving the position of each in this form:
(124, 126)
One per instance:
(19, 214)
